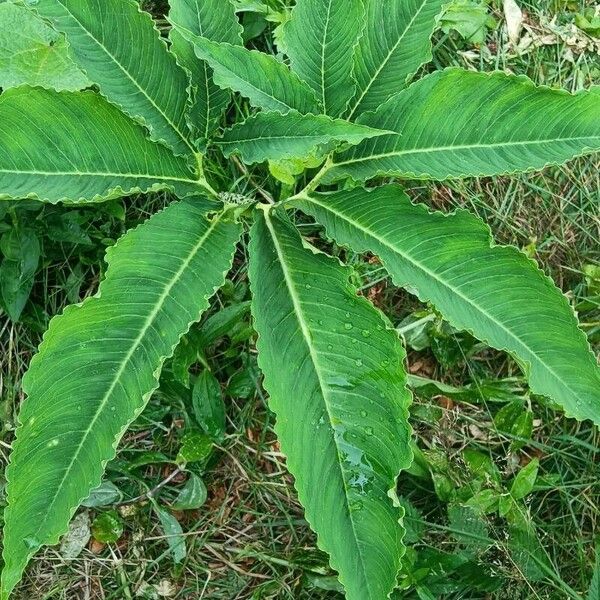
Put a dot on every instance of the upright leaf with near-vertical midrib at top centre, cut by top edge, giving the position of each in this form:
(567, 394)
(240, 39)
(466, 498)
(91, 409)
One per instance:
(319, 39)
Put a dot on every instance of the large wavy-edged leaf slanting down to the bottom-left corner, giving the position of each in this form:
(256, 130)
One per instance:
(99, 364)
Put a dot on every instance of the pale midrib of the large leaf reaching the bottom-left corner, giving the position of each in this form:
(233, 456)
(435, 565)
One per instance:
(135, 345)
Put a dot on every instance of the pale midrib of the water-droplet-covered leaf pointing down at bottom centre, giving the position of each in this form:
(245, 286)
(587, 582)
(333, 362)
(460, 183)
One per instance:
(298, 311)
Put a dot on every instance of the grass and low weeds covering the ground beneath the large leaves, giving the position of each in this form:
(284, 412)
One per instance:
(250, 541)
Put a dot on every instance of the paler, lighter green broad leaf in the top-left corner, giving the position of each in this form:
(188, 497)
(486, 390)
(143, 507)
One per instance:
(33, 53)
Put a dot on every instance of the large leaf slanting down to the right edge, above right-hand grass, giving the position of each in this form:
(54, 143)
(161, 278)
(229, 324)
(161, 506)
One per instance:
(495, 292)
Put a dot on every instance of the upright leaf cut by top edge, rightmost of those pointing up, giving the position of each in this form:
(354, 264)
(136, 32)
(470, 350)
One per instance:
(396, 42)
